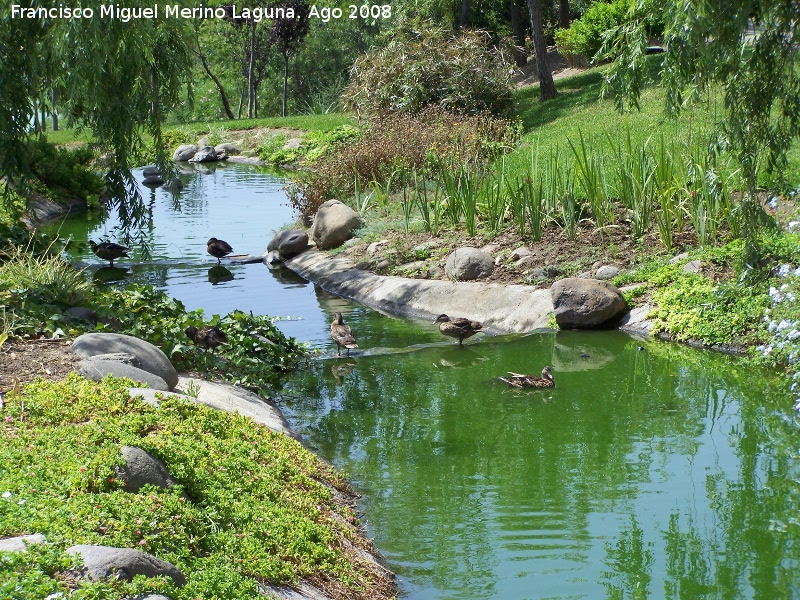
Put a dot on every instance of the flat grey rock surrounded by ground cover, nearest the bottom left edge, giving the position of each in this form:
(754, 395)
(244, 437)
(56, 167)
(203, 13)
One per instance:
(103, 562)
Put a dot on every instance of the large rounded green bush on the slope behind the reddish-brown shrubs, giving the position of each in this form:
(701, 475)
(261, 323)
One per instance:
(458, 71)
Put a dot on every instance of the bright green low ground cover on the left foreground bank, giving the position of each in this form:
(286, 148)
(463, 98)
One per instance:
(252, 506)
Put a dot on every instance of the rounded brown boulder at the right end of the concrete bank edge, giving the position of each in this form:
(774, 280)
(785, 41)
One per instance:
(586, 303)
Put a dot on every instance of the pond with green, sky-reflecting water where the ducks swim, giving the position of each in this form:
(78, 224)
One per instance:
(650, 470)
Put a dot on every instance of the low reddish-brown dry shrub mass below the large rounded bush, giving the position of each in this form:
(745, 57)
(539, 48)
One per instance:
(395, 143)
